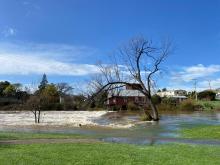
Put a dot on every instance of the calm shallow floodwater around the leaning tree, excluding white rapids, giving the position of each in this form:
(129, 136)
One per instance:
(164, 131)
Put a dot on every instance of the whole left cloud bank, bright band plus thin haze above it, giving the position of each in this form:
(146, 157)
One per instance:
(52, 59)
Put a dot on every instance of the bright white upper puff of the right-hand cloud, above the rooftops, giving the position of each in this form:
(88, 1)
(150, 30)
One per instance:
(195, 72)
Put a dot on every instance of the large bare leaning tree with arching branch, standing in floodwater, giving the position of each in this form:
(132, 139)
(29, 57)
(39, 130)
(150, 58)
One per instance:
(139, 61)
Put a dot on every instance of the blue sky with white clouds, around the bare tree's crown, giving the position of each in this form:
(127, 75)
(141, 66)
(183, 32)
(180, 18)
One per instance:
(66, 38)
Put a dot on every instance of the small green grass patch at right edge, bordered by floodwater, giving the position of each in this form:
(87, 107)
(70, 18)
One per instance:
(202, 132)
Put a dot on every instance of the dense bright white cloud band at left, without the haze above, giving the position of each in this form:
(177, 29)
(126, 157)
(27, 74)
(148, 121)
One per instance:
(24, 65)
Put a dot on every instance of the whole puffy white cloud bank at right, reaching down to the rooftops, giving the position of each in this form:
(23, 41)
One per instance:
(206, 76)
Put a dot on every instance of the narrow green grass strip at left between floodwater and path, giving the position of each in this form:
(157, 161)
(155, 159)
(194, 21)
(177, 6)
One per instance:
(20, 135)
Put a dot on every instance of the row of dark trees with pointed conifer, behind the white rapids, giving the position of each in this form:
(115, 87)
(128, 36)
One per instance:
(48, 96)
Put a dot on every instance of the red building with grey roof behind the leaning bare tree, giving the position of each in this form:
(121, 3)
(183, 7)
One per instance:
(122, 97)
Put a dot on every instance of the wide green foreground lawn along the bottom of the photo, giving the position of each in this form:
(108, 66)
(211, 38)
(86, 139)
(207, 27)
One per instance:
(109, 154)
